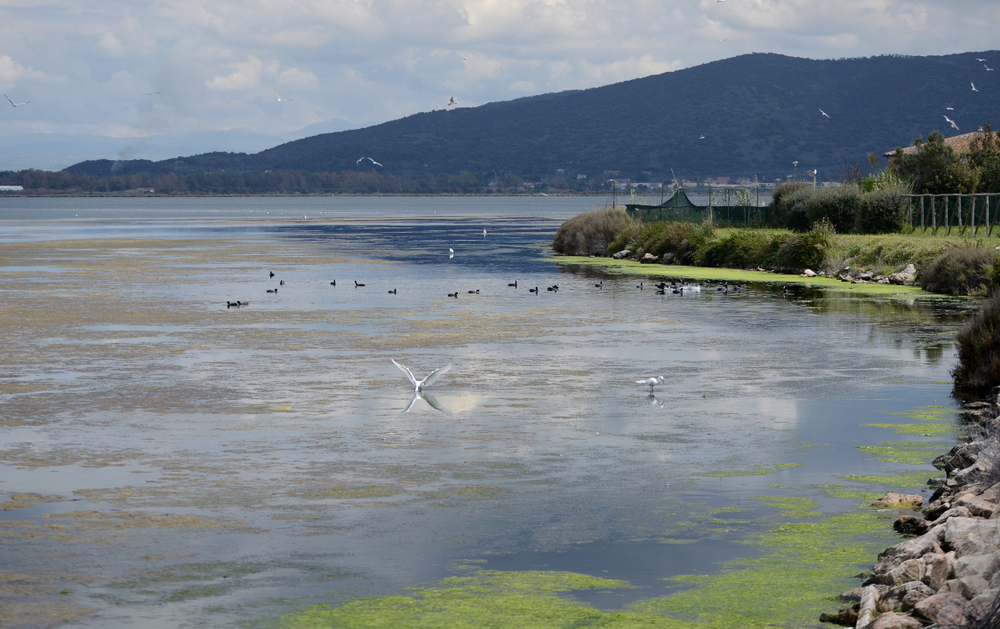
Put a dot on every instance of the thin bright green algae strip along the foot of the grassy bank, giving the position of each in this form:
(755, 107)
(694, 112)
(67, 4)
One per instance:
(628, 267)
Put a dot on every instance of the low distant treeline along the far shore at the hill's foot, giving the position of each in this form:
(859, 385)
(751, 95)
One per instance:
(280, 182)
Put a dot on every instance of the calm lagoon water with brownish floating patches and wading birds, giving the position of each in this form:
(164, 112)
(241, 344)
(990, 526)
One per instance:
(168, 460)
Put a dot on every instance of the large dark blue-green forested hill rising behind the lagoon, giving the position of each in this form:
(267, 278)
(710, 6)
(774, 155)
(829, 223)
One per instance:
(758, 113)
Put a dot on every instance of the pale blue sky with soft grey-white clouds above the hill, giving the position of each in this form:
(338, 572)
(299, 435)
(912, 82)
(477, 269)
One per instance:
(153, 79)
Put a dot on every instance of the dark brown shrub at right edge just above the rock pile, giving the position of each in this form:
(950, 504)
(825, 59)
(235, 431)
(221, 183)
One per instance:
(978, 343)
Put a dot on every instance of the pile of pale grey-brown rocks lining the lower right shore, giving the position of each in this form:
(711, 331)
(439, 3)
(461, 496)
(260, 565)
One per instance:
(948, 574)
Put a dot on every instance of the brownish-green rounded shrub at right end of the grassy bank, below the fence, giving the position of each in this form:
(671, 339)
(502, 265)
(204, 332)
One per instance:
(968, 270)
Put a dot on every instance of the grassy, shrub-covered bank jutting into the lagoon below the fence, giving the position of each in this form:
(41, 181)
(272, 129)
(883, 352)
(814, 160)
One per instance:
(956, 264)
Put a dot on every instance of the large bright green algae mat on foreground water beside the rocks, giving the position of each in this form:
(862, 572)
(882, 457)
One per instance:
(803, 564)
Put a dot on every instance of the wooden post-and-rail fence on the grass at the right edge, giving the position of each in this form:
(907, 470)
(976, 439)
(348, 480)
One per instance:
(968, 213)
